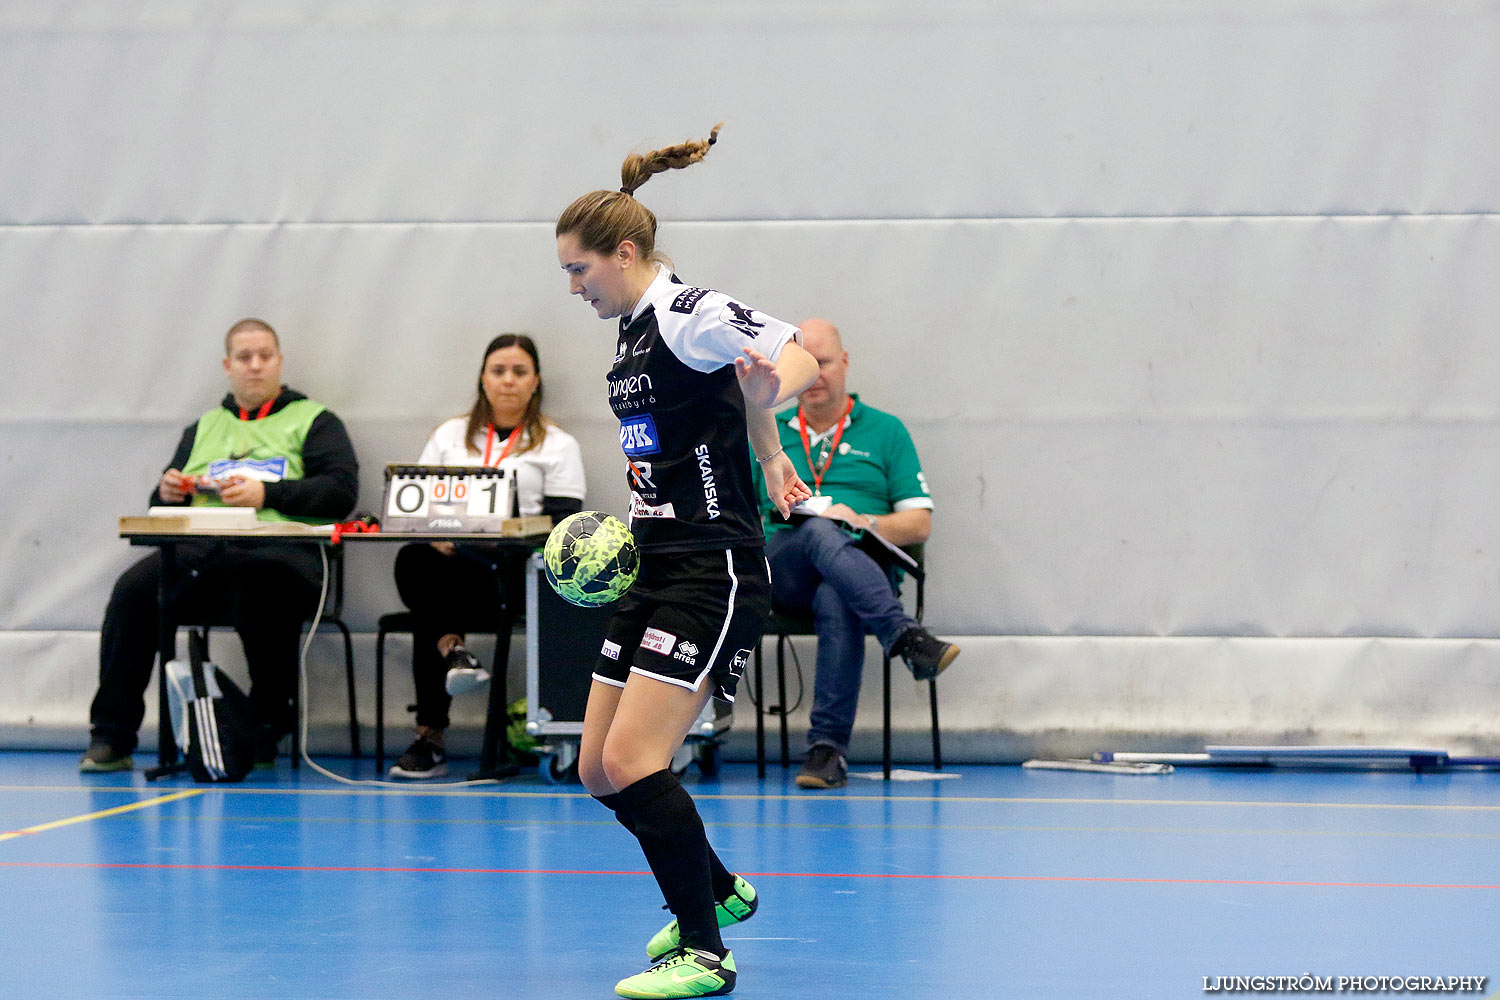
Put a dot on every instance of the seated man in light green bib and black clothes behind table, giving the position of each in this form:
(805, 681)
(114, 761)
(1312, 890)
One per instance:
(266, 448)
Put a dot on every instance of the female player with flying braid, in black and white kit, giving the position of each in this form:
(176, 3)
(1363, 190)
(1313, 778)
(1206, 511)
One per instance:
(695, 374)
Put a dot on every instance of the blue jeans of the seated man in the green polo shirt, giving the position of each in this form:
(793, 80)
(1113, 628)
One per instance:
(818, 567)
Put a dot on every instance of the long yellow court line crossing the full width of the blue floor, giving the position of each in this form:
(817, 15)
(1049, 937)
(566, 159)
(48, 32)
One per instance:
(811, 798)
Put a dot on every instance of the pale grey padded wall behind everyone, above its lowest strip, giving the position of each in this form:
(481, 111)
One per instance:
(1190, 310)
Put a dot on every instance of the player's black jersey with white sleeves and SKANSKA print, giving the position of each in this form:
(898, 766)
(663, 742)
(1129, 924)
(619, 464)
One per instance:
(682, 416)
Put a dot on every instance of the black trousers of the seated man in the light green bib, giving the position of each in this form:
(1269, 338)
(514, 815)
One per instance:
(265, 593)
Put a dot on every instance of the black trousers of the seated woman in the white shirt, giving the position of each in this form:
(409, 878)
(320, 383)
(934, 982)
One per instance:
(448, 594)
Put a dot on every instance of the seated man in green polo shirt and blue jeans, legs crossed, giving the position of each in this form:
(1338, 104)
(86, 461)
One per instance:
(865, 473)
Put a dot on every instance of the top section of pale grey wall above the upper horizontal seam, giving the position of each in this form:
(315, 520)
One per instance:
(455, 110)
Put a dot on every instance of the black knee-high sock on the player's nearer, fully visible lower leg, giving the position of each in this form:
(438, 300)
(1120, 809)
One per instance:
(673, 839)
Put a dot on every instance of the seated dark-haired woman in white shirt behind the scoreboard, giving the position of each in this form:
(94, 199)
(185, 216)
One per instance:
(451, 588)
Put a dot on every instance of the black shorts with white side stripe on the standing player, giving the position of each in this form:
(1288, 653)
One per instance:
(691, 617)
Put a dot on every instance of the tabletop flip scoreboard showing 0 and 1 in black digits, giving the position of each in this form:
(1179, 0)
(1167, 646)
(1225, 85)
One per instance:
(427, 499)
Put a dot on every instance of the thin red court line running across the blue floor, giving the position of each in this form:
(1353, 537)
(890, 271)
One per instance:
(758, 875)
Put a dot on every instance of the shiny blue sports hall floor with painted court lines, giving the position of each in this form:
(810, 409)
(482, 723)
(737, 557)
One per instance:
(1000, 884)
